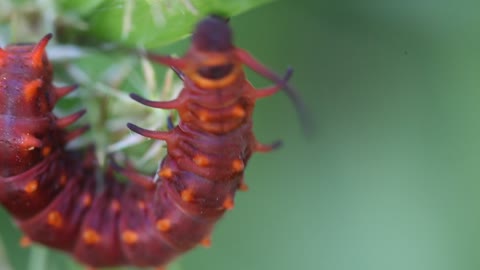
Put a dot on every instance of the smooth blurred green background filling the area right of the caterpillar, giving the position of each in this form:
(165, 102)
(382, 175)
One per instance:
(391, 178)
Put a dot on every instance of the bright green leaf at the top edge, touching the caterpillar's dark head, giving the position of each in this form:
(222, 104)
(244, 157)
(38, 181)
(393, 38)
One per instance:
(151, 23)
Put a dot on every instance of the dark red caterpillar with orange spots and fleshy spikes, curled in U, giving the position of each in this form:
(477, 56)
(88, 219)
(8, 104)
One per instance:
(60, 199)
